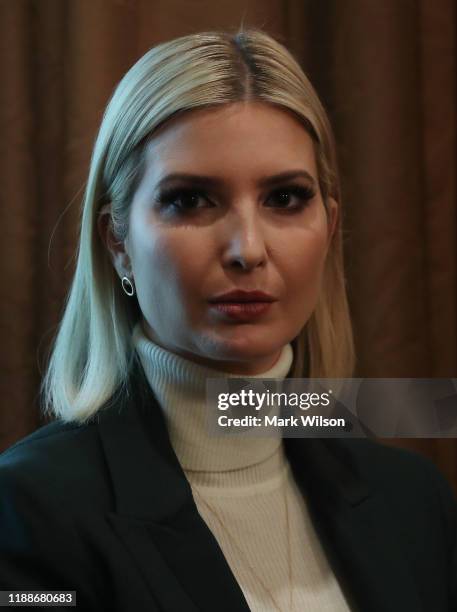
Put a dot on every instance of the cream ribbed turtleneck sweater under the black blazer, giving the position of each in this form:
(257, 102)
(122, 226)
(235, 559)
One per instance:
(244, 490)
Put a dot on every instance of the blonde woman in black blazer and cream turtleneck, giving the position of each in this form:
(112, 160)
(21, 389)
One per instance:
(213, 172)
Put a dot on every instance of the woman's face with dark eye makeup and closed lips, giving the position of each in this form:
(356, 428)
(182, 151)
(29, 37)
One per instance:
(238, 226)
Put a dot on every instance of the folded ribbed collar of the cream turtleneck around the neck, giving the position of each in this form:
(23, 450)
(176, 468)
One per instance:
(180, 387)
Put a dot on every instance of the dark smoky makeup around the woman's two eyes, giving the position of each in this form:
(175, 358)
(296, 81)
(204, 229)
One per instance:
(185, 200)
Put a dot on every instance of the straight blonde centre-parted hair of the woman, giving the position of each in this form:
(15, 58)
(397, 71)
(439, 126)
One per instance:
(93, 354)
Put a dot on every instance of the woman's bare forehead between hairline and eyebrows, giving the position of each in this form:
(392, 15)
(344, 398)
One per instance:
(240, 139)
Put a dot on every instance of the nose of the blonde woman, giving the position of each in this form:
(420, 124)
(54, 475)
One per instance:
(244, 240)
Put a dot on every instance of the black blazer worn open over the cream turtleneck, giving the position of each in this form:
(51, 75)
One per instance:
(105, 509)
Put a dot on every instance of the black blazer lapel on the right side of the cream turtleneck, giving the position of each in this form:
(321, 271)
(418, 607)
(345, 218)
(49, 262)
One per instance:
(354, 525)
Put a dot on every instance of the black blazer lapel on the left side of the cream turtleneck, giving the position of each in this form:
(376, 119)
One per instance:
(155, 514)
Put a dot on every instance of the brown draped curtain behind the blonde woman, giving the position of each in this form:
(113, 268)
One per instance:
(386, 72)
